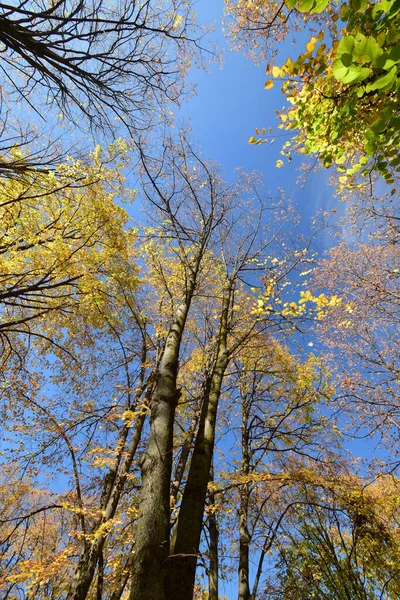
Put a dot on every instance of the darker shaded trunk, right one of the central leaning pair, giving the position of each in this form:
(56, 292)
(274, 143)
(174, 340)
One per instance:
(183, 560)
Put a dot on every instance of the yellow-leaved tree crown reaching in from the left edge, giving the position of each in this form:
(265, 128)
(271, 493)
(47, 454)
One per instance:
(61, 232)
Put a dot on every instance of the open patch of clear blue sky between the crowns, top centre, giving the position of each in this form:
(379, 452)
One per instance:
(230, 103)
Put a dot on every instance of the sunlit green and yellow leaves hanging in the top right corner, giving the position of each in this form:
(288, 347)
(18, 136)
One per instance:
(344, 97)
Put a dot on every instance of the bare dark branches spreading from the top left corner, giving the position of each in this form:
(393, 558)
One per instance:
(103, 61)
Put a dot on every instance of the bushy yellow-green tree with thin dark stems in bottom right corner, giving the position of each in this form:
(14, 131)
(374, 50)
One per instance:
(344, 544)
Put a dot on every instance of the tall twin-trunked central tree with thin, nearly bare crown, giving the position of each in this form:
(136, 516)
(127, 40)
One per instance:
(209, 223)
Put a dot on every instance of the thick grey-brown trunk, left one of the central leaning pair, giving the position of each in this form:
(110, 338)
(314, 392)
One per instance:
(150, 565)
